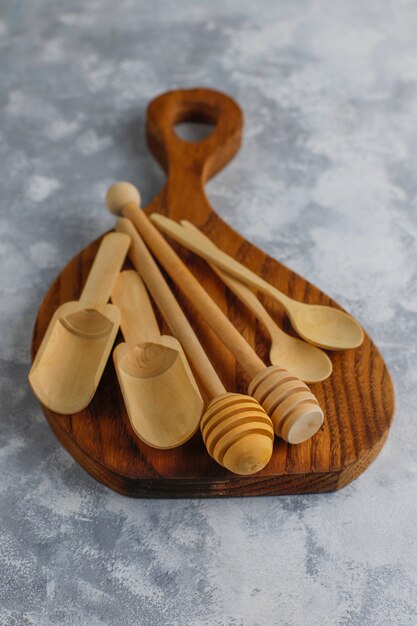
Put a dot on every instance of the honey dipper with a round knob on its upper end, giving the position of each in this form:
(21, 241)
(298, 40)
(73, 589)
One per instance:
(293, 409)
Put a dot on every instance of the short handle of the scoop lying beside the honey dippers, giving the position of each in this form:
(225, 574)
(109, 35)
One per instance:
(138, 321)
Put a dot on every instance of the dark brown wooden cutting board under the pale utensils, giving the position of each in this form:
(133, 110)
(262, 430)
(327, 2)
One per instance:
(358, 398)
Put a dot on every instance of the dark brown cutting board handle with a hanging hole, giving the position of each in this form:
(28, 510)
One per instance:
(190, 164)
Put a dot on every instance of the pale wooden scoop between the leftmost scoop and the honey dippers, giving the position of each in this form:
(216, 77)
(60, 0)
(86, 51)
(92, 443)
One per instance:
(161, 396)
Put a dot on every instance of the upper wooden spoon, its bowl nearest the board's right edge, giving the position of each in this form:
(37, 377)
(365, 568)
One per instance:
(323, 326)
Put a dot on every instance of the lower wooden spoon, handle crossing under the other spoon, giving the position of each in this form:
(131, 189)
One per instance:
(306, 361)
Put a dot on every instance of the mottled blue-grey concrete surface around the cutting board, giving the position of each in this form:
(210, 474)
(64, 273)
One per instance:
(325, 182)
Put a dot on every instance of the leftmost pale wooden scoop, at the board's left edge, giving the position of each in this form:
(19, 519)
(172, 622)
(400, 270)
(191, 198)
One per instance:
(75, 348)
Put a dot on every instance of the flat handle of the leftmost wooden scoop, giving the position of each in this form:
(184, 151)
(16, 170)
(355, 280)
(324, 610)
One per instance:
(105, 270)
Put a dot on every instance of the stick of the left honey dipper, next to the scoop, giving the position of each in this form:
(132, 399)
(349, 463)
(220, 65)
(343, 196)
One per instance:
(170, 309)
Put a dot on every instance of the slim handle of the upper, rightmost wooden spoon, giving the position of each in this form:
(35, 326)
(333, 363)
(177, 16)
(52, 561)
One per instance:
(213, 254)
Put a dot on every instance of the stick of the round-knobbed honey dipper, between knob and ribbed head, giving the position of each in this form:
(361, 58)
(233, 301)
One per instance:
(190, 286)
